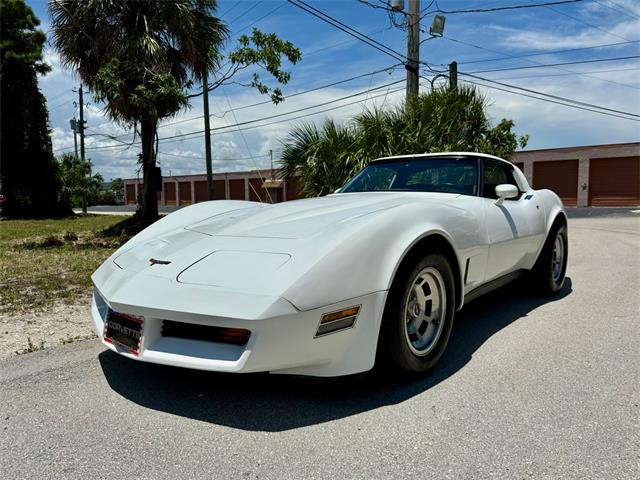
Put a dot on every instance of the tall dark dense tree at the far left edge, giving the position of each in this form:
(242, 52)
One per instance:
(28, 169)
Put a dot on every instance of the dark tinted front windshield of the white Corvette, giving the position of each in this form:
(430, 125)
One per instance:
(451, 175)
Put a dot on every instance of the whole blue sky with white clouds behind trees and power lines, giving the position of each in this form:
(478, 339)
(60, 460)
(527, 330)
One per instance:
(477, 41)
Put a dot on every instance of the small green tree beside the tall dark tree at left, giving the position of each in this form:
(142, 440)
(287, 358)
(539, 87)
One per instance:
(77, 182)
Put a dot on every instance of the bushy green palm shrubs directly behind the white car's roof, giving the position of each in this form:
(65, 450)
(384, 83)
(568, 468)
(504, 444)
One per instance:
(442, 120)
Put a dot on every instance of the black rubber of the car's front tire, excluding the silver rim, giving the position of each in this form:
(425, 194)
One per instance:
(395, 348)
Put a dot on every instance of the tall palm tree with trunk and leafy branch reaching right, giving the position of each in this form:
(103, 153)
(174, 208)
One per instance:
(141, 58)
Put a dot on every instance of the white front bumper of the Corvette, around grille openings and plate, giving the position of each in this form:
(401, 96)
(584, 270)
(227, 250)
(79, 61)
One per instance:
(283, 342)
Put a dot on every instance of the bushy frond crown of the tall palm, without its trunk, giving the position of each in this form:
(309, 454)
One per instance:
(117, 47)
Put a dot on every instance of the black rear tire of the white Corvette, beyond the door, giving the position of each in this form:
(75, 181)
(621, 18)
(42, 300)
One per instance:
(548, 274)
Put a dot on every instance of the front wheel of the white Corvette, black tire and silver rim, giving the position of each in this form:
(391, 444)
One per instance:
(418, 316)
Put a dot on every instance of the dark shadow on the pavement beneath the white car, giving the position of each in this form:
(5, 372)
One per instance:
(262, 402)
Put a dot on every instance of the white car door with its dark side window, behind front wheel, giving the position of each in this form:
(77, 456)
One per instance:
(513, 226)
